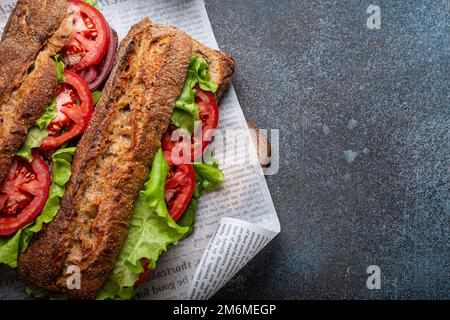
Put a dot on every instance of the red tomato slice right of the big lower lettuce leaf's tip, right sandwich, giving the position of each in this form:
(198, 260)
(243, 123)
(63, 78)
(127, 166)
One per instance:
(180, 185)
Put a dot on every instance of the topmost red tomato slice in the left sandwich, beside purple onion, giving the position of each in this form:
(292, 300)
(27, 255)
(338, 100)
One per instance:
(89, 44)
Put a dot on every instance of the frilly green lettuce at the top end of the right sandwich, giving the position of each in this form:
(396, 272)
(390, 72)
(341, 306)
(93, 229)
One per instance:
(196, 74)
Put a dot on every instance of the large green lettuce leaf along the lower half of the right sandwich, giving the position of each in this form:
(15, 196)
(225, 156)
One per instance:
(150, 232)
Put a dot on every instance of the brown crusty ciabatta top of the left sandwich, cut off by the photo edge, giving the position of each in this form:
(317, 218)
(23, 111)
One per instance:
(34, 33)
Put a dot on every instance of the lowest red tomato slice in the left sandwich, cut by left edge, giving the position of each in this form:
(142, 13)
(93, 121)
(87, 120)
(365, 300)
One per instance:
(23, 193)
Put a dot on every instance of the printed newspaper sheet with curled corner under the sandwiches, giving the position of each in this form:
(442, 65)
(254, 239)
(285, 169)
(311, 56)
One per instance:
(234, 223)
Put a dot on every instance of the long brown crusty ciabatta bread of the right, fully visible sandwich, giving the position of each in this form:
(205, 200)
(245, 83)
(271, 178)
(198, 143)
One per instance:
(113, 158)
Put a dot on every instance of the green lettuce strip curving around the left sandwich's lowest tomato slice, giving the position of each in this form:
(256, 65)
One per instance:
(10, 247)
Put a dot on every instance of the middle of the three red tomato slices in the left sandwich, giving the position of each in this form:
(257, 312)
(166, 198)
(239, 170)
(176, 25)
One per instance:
(72, 118)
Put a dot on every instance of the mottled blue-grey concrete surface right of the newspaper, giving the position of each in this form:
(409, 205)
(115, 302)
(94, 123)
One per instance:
(364, 119)
